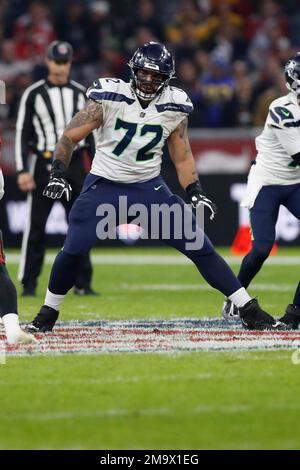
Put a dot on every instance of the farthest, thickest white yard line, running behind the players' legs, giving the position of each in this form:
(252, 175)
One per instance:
(162, 260)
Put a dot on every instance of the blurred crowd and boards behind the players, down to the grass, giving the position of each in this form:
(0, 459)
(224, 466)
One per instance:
(229, 57)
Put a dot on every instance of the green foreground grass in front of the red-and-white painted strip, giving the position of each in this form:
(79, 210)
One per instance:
(189, 401)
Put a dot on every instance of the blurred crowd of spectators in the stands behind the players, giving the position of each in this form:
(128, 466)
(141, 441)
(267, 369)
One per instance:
(229, 53)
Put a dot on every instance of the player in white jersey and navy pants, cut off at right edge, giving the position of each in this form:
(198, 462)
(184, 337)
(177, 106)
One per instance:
(274, 180)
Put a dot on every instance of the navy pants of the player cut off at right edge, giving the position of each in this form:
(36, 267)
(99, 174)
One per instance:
(263, 218)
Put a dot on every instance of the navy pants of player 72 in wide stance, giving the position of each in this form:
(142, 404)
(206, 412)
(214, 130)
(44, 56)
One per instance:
(82, 231)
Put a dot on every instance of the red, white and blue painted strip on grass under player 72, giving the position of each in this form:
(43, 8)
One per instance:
(156, 336)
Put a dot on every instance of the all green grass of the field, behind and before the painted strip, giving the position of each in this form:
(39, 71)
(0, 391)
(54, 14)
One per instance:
(176, 399)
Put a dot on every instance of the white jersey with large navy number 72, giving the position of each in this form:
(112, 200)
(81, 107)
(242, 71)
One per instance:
(129, 144)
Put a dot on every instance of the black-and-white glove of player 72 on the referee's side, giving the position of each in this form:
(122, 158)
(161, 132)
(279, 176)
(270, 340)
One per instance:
(58, 184)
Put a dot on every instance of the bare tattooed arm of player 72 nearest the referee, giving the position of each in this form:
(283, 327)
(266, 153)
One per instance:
(81, 125)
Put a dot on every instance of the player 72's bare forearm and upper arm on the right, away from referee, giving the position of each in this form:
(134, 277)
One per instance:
(181, 155)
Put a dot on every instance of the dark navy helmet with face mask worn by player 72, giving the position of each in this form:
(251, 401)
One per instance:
(152, 67)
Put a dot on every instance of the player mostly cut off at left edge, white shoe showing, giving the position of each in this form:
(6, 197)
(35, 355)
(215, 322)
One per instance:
(8, 298)
